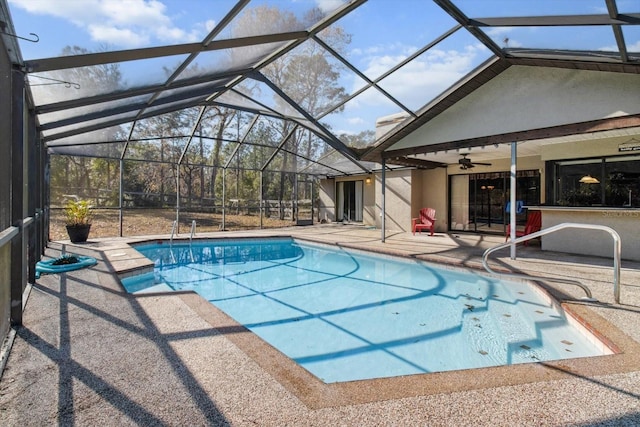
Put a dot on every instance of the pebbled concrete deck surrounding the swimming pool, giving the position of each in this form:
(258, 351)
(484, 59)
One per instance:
(89, 353)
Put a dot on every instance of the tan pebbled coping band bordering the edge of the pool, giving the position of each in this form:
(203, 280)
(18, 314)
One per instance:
(316, 394)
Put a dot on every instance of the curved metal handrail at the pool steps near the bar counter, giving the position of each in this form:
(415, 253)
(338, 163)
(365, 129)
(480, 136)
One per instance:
(617, 249)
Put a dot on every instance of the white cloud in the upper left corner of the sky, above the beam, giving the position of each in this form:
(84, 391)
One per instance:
(121, 23)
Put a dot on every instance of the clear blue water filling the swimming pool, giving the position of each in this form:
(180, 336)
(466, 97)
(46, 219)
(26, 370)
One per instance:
(347, 315)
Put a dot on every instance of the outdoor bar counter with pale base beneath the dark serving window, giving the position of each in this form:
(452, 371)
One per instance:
(626, 221)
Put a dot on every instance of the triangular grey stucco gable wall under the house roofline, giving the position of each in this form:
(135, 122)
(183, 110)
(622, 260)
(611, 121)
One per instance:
(552, 97)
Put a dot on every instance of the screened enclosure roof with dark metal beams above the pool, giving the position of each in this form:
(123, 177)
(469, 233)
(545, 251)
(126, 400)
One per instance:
(287, 79)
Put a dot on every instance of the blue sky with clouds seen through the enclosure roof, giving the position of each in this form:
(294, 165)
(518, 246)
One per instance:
(384, 32)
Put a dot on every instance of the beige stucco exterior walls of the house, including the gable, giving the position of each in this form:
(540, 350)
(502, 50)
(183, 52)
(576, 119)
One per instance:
(553, 97)
